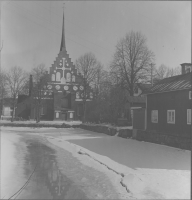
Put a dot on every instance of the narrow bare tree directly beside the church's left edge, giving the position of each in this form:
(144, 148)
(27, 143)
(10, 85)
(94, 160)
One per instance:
(38, 91)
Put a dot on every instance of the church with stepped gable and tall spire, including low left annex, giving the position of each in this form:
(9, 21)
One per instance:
(63, 94)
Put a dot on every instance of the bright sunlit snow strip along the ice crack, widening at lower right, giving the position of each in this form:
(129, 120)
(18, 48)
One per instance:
(140, 183)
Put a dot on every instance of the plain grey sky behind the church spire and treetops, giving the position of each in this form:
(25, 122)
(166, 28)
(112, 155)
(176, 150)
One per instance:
(31, 31)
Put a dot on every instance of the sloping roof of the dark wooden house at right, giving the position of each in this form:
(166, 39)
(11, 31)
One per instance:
(173, 83)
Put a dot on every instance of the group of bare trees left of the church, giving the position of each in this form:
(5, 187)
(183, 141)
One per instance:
(15, 81)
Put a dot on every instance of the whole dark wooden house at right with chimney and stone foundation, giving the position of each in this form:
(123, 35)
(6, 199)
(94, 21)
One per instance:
(168, 110)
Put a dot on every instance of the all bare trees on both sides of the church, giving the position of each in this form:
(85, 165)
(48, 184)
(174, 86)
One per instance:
(131, 64)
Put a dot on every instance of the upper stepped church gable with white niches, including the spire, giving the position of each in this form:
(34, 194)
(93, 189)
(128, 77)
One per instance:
(63, 75)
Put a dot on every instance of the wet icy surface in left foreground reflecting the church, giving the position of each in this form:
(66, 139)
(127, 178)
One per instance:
(45, 171)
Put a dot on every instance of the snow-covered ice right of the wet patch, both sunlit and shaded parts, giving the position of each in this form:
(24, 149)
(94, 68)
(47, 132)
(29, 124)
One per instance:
(148, 171)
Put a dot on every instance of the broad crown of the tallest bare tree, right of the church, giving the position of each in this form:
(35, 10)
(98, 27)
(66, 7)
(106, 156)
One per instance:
(131, 61)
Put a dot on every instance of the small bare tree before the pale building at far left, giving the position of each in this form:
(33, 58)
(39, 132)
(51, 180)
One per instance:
(16, 80)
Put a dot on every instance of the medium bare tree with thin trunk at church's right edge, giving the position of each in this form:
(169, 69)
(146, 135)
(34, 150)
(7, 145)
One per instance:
(89, 67)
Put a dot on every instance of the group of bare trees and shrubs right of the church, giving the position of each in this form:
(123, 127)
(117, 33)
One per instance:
(132, 63)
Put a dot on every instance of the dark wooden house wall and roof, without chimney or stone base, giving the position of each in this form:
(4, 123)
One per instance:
(169, 105)
